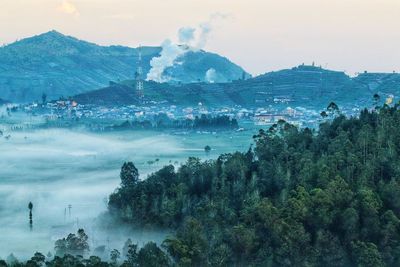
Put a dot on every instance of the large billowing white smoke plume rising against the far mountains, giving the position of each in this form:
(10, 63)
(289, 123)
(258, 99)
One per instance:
(190, 39)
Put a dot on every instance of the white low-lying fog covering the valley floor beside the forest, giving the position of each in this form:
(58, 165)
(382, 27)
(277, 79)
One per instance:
(58, 168)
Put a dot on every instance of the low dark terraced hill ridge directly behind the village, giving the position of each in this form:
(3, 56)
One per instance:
(303, 85)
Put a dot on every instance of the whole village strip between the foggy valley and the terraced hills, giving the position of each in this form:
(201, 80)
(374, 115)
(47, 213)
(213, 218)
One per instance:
(69, 113)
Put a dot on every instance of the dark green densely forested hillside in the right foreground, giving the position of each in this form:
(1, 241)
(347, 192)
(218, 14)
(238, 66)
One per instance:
(298, 198)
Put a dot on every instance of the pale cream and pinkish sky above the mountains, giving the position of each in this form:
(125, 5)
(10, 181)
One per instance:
(259, 35)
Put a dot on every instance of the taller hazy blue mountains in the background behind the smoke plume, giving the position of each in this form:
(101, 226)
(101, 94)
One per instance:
(60, 65)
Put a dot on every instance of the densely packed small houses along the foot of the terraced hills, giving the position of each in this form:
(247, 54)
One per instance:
(70, 110)
